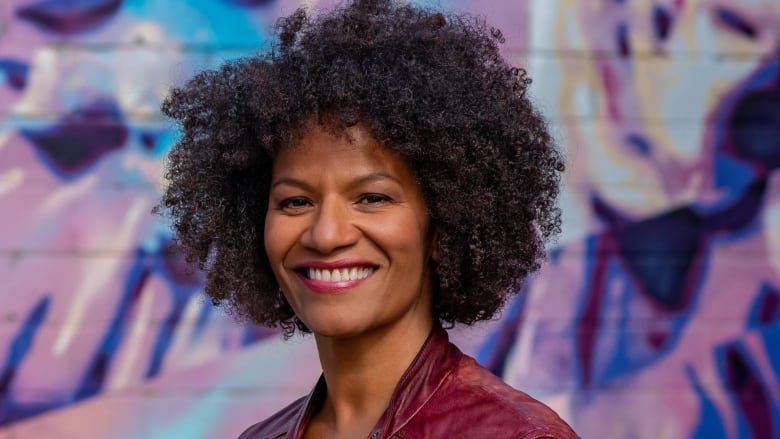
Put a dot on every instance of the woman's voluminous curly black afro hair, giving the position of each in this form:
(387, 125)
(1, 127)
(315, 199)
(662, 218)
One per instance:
(432, 87)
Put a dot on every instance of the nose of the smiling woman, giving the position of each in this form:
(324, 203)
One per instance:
(331, 228)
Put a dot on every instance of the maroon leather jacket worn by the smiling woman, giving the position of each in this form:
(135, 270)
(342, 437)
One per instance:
(443, 394)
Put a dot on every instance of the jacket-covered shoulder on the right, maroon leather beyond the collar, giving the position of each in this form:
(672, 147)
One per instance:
(475, 403)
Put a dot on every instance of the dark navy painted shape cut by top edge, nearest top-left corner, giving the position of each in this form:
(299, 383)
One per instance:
(66, 17)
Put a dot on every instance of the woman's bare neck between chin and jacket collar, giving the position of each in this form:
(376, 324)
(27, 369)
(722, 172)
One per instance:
(362, 372)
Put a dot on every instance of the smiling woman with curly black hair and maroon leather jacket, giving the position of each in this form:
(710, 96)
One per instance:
(375, 174)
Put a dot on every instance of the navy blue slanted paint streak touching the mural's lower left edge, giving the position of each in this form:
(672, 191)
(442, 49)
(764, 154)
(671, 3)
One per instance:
(18, 350)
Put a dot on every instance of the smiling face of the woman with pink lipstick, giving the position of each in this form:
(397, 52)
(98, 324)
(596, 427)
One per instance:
(347, 234)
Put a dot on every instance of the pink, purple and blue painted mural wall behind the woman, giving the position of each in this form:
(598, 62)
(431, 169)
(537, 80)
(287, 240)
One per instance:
(658, 315)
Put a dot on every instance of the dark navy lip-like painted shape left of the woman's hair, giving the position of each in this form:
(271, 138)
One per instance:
(79, 141)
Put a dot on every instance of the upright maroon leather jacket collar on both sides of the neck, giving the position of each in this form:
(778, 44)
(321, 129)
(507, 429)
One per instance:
(435, 361)
